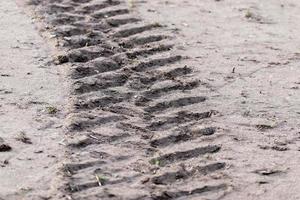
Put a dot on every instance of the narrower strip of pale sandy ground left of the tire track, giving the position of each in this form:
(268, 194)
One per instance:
(29, 89)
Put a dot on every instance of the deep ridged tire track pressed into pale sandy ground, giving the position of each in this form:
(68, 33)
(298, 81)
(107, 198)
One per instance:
(123, 72)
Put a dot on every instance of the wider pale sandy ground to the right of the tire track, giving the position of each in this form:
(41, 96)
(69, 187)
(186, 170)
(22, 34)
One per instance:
(247, 52)
